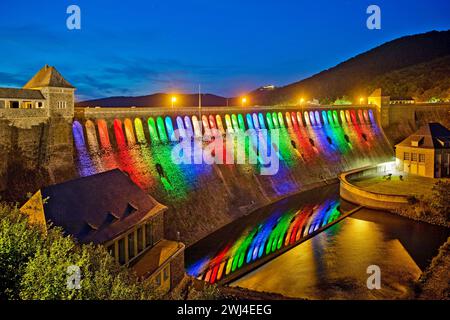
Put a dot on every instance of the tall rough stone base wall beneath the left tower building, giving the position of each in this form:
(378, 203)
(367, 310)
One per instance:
(34, 151)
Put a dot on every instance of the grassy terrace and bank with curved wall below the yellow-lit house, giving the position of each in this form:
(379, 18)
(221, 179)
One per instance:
(415, 197)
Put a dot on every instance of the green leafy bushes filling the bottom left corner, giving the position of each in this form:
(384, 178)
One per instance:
(34, 265)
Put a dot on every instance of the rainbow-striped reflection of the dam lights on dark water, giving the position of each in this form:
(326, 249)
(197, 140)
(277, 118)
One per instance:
(278, 231)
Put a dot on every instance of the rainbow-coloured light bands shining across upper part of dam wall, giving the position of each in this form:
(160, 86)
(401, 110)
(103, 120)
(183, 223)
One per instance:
(142, 146)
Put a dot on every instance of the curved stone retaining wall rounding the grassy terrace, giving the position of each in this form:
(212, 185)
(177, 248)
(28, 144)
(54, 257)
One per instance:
(374, 200)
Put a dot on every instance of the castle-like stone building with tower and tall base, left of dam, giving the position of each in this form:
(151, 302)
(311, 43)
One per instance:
(36, 131)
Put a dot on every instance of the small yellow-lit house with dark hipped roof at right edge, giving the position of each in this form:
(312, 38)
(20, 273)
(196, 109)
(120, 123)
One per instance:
(426, 152)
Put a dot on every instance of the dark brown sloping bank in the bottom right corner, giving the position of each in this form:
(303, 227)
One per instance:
(434, 283)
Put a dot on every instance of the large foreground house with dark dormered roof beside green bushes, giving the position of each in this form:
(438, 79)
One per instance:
(110, 210)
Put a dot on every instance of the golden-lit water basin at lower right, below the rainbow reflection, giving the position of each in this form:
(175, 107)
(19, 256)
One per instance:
(333, 264)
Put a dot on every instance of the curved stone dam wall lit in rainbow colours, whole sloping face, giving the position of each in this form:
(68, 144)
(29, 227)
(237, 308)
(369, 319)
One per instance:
(315, 145)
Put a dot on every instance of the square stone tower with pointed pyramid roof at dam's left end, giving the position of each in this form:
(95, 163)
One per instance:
(58, 92)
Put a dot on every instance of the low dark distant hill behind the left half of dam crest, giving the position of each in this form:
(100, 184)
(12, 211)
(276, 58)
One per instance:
(156, 100)
